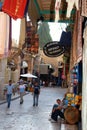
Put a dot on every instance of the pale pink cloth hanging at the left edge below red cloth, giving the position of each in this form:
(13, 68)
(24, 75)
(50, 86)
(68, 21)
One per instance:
(4, 34)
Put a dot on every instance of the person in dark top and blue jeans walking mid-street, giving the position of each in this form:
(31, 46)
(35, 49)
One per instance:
(36, 92)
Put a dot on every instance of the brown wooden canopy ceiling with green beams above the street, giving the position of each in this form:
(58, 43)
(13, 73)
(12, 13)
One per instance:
(46, 9)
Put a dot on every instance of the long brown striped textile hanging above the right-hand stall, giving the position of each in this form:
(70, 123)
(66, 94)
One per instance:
(76, 46)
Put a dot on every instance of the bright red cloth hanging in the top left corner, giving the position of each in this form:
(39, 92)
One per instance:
(15, 8)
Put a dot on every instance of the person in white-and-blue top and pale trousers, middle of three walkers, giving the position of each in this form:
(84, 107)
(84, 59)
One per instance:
(21, 91)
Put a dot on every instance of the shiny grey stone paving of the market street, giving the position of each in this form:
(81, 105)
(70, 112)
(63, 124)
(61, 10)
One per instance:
(27, 117)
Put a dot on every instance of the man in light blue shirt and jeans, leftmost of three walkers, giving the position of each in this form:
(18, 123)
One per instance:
(9, 89)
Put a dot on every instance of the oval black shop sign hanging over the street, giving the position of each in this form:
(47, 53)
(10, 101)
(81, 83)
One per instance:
(53, 49)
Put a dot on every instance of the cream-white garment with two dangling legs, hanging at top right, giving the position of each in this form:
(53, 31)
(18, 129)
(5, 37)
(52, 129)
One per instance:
(71, 3)
